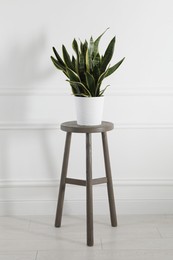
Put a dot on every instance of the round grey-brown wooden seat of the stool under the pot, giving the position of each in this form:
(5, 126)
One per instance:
(73, 127)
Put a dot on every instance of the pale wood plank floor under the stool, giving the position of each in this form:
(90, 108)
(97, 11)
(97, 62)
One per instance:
(137, 237)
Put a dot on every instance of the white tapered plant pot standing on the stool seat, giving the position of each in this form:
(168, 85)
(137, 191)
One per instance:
(89, 110)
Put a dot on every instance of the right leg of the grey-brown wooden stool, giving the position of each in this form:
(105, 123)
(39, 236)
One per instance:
(109, 180)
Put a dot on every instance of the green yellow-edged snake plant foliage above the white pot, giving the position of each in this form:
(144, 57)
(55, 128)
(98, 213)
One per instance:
(87, 69)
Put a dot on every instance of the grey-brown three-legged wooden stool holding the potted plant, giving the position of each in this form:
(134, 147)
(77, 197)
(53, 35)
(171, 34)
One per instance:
(72, 127)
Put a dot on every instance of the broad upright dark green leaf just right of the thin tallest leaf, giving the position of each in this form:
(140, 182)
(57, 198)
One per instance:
(108, 55)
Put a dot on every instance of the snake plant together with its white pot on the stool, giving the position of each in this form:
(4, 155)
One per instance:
(85, 73)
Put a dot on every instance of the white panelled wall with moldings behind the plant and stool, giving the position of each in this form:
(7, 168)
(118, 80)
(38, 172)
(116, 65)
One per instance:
(35, 99)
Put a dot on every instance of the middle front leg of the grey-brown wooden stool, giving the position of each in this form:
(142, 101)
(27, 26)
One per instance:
(89, 195)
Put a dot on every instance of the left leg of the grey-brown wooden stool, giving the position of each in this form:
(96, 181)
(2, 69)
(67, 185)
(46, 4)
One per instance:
(62, 182)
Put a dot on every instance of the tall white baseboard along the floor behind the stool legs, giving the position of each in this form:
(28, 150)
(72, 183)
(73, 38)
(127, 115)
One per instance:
(131, 197)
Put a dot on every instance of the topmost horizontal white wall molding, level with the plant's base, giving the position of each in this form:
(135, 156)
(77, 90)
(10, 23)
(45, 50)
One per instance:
(61, 91)
